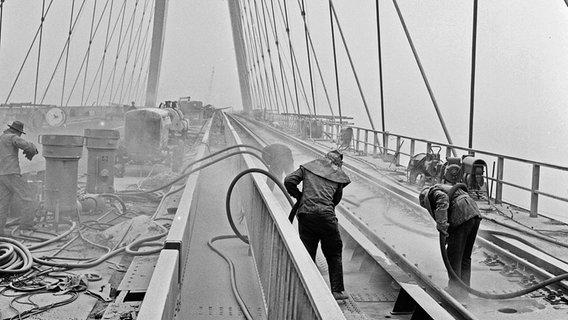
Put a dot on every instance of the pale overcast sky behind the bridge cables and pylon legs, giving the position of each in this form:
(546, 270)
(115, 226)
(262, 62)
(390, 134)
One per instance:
(521, 82)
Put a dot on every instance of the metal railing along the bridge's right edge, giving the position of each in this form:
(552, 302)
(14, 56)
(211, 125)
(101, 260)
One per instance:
(379, 144)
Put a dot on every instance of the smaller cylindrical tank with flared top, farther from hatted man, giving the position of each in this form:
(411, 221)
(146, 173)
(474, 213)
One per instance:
(101, 152)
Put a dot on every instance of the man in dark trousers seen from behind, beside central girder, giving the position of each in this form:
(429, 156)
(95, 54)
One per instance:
(323, 181)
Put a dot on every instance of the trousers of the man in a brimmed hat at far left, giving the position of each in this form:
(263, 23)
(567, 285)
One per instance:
(14, 187)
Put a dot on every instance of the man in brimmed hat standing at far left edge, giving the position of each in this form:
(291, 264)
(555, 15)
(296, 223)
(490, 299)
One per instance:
(11, 182)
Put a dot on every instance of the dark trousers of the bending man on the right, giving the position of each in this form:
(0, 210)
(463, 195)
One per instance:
(460, 247)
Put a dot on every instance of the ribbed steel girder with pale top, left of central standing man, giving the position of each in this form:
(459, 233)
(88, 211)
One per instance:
(292, 285)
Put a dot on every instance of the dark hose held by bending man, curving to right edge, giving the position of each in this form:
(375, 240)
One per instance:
(486, 295)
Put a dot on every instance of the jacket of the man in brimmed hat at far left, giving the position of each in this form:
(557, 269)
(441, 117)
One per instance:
(10, 143)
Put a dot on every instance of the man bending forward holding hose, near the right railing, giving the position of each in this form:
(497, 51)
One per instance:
(457, 218)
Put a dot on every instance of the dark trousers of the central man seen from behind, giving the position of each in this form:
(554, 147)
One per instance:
(314, 228)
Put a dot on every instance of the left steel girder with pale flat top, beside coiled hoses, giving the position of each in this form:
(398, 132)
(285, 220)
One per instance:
(163, 291)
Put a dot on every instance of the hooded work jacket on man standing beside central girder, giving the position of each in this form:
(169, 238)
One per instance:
(322, 187)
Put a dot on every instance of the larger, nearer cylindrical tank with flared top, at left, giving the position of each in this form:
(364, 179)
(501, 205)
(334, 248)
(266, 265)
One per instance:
(62, 154)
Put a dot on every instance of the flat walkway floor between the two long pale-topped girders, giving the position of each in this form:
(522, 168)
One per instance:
(206, 289)
